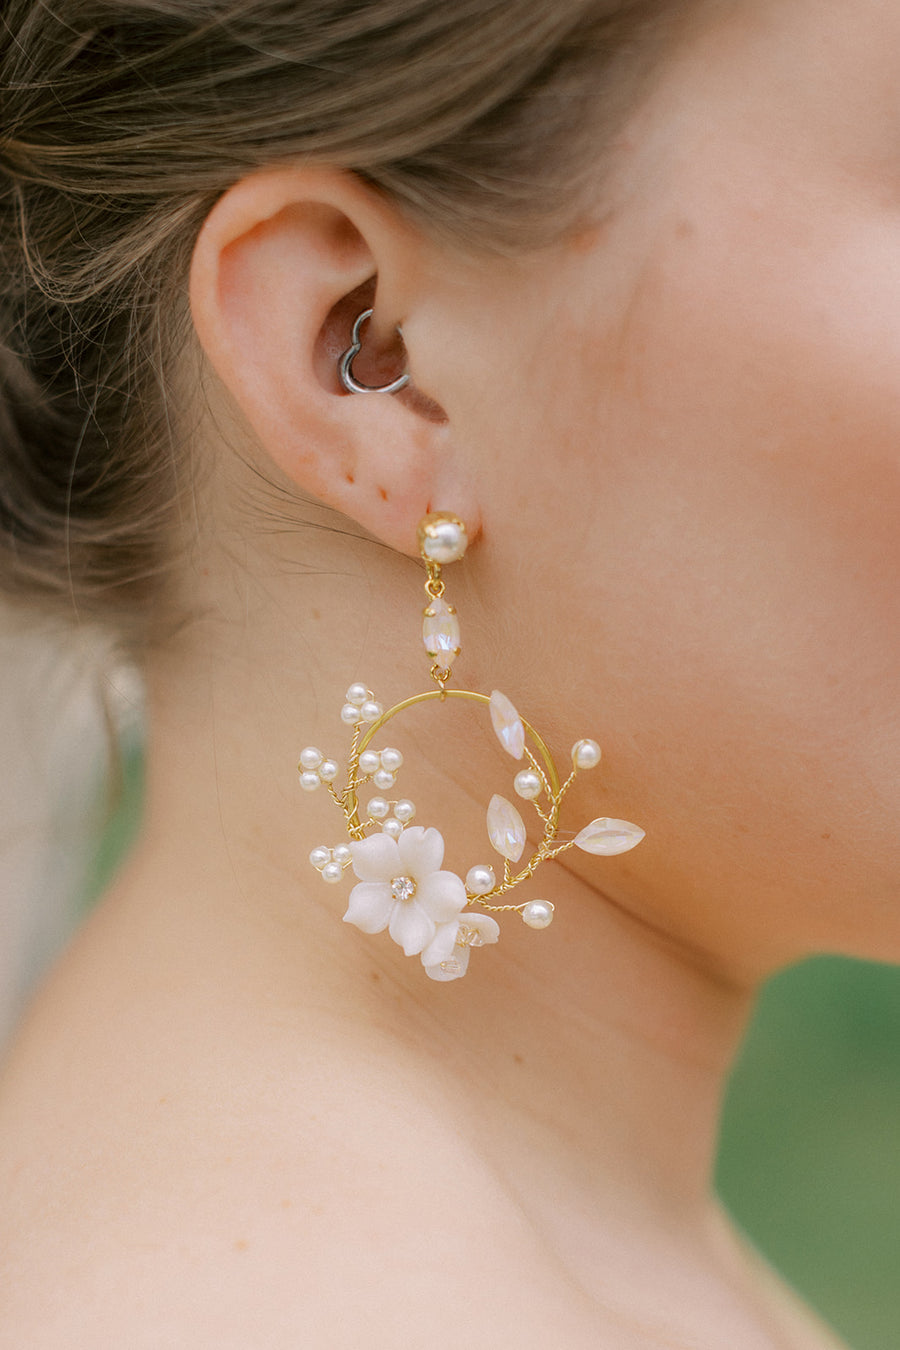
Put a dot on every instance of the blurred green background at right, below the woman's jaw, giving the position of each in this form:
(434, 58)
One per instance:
(810, 1152)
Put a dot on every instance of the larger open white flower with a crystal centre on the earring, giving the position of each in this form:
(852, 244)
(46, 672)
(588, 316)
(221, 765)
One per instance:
(403, 889)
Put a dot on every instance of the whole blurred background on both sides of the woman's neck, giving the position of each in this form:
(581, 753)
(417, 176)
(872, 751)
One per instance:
(810, 1155)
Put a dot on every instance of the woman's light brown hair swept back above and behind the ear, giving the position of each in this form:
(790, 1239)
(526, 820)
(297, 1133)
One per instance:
(121, 125)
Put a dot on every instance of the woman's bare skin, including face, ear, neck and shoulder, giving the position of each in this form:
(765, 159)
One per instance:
(678, 435)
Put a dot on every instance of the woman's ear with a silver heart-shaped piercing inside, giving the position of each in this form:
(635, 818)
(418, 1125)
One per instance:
(284, 265)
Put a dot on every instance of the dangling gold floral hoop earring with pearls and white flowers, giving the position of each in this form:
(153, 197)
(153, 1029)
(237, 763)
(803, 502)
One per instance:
(401, 885)
